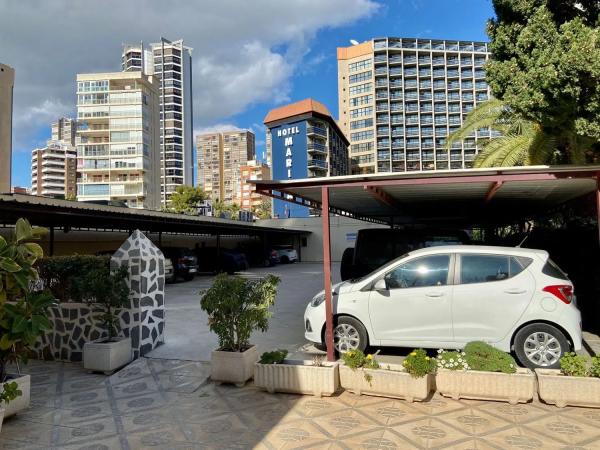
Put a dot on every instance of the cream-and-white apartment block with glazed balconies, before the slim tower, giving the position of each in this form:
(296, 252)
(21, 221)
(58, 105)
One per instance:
(118, 139)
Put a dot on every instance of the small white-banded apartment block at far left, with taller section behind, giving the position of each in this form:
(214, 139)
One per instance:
(54, 167)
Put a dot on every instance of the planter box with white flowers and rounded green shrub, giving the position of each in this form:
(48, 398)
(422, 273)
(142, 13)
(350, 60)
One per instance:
(483, 372)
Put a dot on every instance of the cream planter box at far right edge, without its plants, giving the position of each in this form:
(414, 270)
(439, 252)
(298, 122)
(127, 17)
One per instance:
(561, 390)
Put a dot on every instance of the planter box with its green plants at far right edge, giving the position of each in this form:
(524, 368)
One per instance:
(576, 383)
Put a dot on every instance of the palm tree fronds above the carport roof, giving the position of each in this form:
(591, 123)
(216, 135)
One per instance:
(521, 142)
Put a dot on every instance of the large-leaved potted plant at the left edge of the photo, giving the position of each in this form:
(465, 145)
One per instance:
(23, 313)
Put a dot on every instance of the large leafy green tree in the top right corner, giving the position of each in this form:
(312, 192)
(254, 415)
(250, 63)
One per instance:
(546, 70)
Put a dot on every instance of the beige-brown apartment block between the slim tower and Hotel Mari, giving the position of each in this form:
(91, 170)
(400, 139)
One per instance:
(220, 158)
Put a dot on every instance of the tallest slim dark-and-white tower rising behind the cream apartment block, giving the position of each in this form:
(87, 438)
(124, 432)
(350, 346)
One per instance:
(174, 61)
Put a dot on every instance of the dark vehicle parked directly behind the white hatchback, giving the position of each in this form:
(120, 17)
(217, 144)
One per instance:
(376, 246)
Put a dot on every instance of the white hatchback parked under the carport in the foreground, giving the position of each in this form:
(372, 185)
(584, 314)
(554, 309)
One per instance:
(444, 297)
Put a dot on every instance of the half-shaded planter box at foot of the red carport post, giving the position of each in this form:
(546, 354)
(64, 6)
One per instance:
(298, 377)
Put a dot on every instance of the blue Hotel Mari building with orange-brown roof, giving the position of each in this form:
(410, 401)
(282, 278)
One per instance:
(304, 141)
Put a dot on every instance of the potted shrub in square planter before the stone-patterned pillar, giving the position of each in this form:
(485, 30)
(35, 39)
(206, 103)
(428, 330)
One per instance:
(107, 294)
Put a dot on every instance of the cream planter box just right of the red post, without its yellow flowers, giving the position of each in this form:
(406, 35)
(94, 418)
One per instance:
(393, 383)
